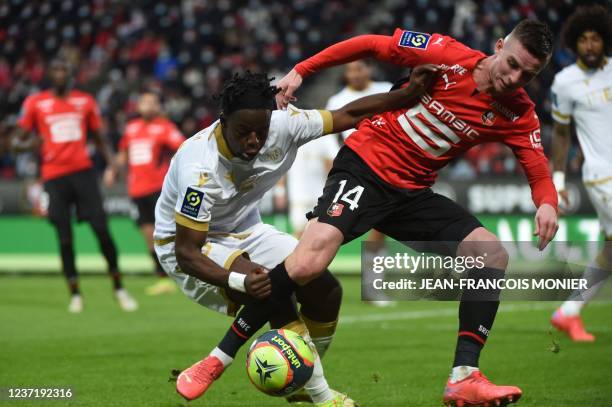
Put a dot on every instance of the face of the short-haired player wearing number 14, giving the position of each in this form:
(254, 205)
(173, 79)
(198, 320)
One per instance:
(514, 67)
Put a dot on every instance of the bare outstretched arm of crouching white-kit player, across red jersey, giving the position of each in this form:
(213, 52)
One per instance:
(349, 115)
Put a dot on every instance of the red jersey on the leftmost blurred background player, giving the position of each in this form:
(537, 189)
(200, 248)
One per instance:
(62, 124)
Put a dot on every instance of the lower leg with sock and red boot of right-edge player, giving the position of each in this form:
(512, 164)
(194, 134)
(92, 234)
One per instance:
(567, 317)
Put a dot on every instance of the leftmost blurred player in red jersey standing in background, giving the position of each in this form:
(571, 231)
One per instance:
(54, 123)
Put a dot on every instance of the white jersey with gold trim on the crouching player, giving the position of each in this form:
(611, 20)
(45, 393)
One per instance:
(208, 189)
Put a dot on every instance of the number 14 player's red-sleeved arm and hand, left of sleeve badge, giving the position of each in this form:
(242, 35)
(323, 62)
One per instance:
(362, 46)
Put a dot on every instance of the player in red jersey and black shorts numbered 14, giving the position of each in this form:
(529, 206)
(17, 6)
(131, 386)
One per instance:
(381, 178)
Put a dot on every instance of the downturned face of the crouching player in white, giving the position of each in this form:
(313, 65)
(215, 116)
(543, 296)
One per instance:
(246, 132)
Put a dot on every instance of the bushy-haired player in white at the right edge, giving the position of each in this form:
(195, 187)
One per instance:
(582, 94)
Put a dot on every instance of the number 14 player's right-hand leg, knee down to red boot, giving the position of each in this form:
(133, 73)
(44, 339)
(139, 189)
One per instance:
(467, 385)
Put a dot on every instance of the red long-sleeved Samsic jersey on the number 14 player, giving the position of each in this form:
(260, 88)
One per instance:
(407, 147)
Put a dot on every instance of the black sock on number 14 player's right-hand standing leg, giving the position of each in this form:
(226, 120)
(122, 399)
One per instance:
(477, 312)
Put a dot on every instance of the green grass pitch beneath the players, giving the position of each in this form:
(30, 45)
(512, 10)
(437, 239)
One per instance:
(382, 357)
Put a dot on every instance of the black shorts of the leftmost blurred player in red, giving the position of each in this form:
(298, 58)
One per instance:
(78, 189)
